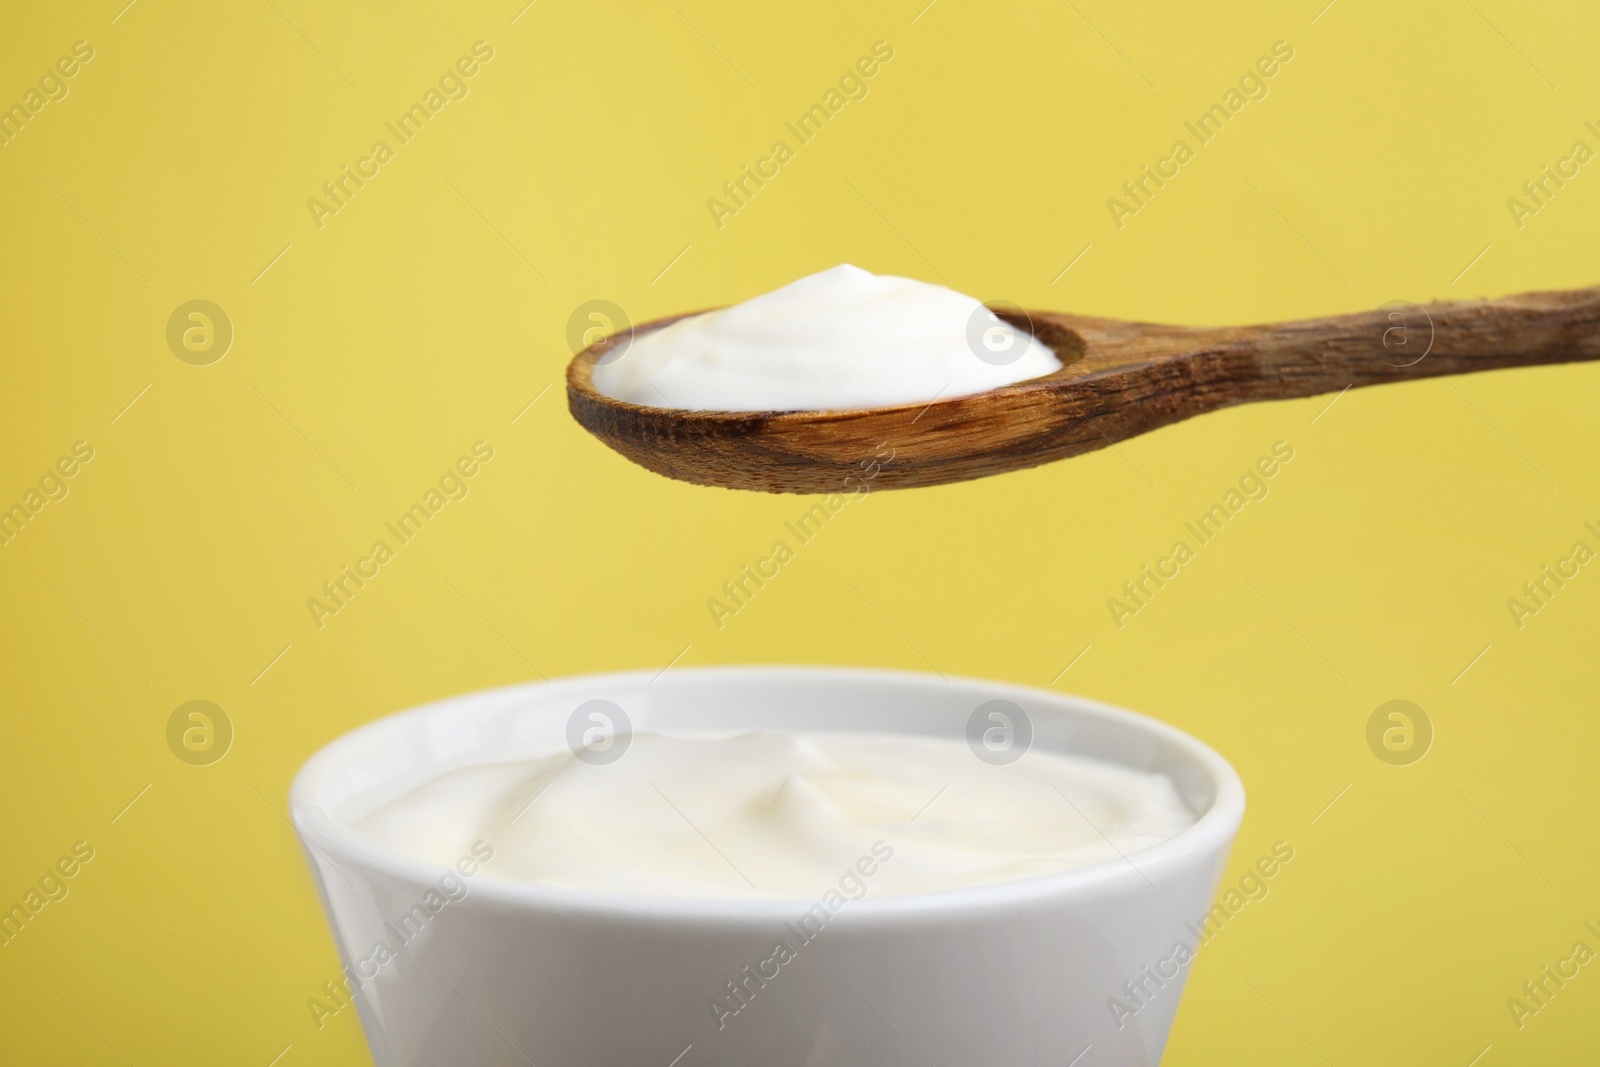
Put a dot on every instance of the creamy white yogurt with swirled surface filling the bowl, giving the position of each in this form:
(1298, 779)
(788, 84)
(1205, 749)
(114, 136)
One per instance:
(782, 815)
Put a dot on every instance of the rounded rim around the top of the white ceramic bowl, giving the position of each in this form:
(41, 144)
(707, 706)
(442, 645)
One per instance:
(1206, 844)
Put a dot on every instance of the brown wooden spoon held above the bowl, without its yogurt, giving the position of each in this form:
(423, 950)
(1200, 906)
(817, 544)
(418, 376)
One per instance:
(1119, 380)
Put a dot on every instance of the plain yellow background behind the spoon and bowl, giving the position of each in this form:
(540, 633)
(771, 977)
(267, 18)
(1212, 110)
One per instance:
(378, 348)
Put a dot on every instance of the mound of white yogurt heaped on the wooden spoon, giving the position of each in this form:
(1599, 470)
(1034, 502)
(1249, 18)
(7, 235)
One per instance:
(834, 342)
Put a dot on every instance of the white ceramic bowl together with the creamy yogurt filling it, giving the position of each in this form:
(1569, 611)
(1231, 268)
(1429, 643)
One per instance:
(786, 866)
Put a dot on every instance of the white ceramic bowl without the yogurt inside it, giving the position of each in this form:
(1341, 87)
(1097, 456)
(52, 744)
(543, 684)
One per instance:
(1017, 973)
